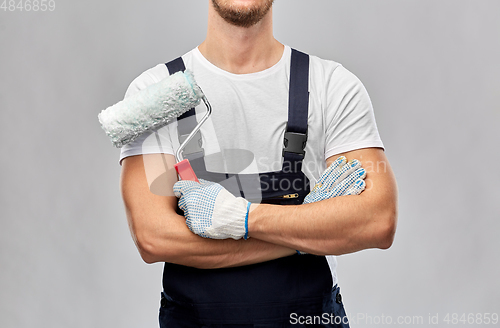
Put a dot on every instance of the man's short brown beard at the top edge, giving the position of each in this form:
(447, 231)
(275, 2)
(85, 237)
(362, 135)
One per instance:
(245, 17)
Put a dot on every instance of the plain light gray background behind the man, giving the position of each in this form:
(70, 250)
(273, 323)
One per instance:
(431, 67)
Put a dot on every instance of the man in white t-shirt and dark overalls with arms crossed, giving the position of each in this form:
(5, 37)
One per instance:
(245, 270)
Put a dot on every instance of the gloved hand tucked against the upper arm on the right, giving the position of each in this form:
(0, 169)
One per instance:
(339, 179)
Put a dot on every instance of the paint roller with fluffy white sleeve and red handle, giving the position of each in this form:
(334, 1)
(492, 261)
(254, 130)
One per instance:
(152, 108)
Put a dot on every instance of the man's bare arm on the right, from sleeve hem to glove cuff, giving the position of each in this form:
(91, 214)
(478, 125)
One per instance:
(338, 225)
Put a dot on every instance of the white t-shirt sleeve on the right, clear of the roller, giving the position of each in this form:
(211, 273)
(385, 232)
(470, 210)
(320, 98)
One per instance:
(350, 121)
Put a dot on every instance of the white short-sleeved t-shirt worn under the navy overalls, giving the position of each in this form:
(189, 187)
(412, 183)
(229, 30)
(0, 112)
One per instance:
(250, 112)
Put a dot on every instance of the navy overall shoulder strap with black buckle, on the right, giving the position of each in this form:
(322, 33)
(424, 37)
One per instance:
(298, 107)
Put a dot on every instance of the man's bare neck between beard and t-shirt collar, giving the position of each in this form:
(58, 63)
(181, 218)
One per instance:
(241, 50)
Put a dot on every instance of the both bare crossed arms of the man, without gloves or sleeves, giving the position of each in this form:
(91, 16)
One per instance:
(335, 226)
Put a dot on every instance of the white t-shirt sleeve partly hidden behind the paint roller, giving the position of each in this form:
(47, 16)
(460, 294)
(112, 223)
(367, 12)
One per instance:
(151, 142)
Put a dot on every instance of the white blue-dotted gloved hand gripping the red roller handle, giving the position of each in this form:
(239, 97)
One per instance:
(211, 211)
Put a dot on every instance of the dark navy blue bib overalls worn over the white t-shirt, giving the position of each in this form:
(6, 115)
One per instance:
(286, 292)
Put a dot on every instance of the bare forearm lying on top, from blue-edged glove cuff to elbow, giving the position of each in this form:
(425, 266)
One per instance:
(331, 227)
